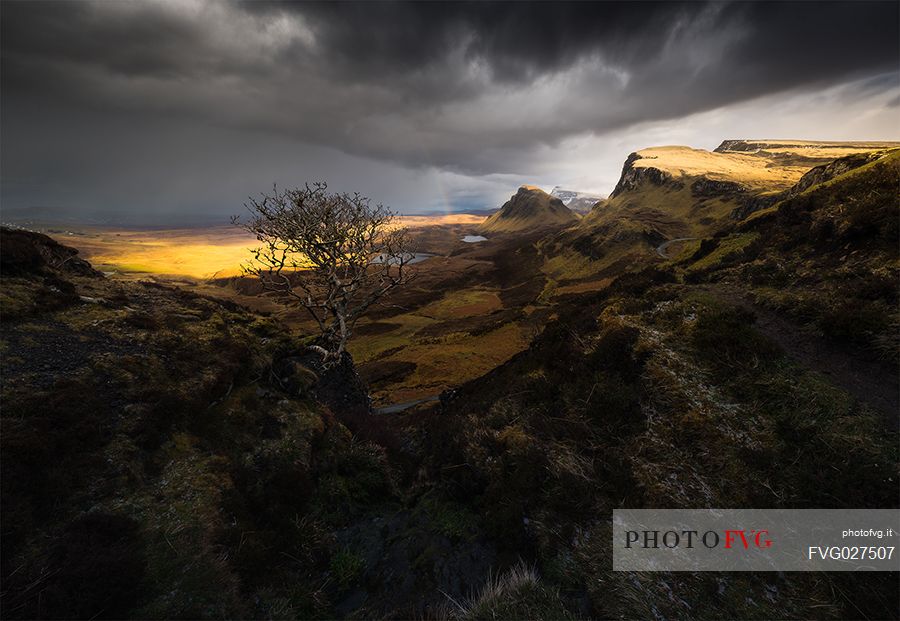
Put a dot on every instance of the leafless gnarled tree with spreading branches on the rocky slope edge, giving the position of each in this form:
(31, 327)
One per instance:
(333, 254)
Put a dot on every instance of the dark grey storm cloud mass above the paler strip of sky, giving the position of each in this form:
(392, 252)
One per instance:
(471, 87)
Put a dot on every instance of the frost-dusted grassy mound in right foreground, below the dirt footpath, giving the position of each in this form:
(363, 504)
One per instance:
(662, 394)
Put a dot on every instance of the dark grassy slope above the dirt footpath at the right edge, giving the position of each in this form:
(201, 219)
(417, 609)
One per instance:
(826, 256)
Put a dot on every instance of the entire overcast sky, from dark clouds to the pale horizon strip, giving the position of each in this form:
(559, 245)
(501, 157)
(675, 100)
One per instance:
(155, 109)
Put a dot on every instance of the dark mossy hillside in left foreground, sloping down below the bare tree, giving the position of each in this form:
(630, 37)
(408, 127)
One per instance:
(168, 456)
